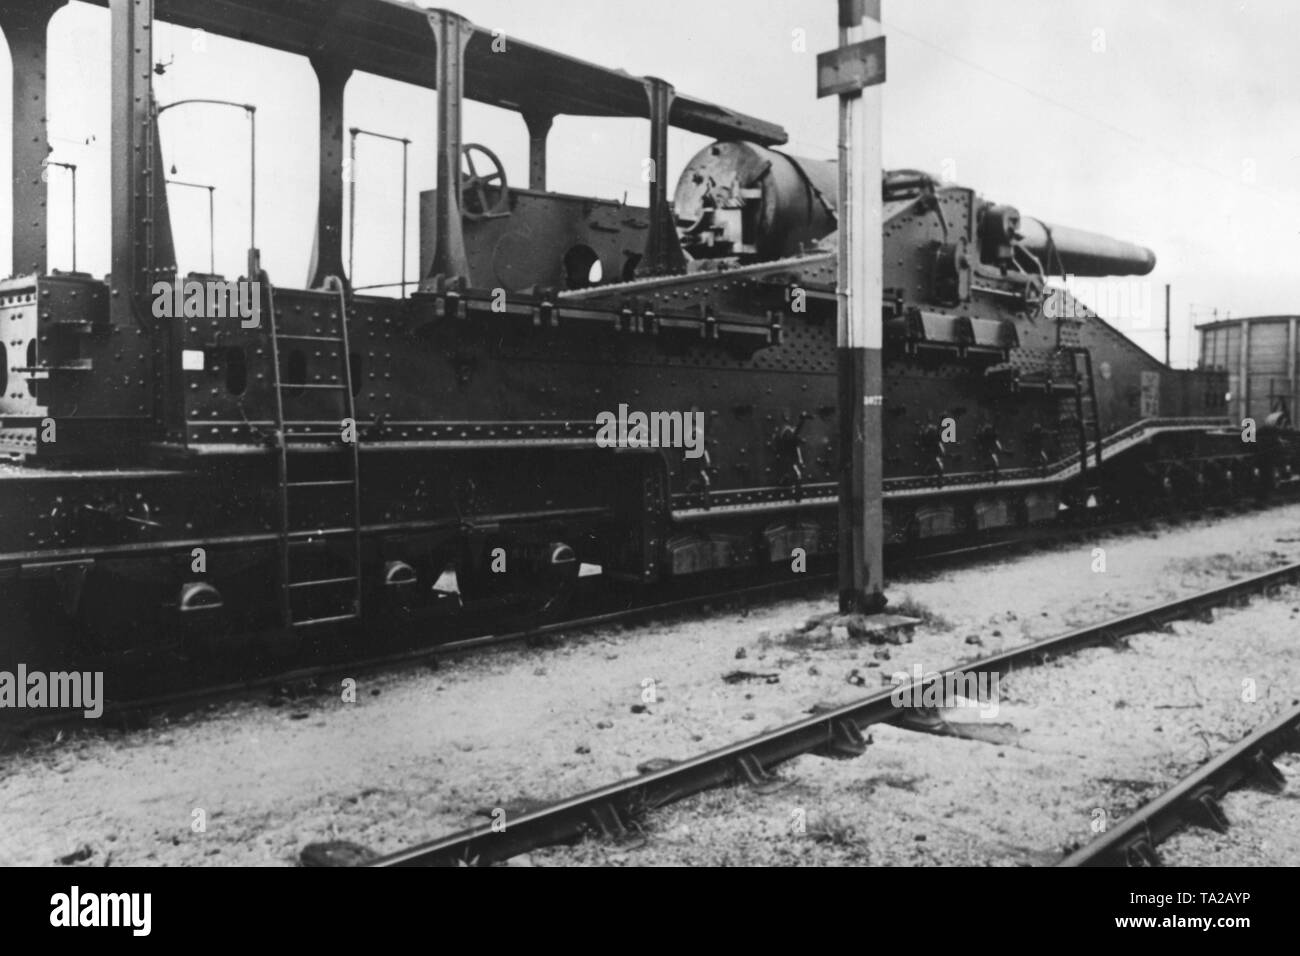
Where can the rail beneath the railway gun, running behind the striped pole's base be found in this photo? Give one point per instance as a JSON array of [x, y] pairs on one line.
[[128, 713]]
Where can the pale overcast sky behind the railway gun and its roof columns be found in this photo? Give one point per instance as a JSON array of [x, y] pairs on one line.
[[1175, 124]]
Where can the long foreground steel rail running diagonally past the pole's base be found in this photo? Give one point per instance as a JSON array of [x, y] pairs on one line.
[[610, 811]]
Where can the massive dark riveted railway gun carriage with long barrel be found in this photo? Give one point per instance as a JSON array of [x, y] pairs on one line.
[[333, 457]]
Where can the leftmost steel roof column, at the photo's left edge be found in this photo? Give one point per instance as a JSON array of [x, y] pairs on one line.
[[27, 29]]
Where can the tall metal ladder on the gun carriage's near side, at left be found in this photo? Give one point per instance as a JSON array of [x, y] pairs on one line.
[[309, 596]]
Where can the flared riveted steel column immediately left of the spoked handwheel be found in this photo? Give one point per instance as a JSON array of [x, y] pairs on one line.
[[452, 34]]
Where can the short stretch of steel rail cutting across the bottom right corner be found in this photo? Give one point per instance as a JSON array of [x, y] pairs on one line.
[[1194, 801]]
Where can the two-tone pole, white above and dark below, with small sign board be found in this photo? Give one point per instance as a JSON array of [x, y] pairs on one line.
[[855, 72]]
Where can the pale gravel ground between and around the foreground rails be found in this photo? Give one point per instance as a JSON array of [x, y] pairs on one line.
[[426, 752]]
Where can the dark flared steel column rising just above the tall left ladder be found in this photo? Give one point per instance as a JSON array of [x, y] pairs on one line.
[[332, 79]]
